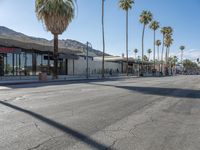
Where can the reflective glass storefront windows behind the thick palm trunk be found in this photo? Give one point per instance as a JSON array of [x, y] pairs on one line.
[[28, 63]]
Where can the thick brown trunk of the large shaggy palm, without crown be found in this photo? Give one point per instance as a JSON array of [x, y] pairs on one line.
[[55, 74]]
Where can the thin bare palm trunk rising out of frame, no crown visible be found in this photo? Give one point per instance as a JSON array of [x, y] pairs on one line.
[[103, 39]]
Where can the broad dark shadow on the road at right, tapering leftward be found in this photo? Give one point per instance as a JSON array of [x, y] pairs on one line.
[[168, 92]]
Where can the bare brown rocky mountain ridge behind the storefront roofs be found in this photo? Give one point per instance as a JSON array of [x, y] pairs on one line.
[[6, 33]]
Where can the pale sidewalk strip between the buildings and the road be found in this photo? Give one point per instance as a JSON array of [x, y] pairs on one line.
[[4, 82]]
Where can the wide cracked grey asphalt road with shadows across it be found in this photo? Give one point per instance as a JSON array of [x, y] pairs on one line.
[[130, 114]]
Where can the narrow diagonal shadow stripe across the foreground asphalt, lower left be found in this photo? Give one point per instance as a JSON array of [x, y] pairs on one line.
[[76, 134]]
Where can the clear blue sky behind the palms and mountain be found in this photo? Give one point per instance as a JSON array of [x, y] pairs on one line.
[[181, 15]]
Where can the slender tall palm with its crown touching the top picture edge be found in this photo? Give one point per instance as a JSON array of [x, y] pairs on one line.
[[126, 5]]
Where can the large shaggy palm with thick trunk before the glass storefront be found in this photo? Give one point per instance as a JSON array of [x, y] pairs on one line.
[[56, 15]]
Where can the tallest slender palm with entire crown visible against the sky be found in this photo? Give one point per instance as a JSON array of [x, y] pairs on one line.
[[145, 19]]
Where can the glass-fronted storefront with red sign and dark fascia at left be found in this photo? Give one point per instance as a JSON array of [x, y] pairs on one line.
[[24, 62]]
